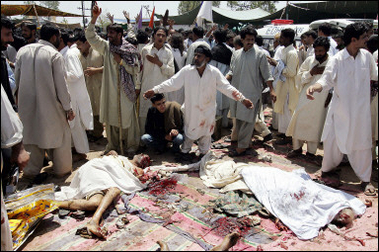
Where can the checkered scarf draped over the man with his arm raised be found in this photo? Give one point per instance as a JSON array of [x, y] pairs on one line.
[[130, 56]]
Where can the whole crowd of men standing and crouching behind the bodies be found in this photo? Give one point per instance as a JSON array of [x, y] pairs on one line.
[[67, 86]]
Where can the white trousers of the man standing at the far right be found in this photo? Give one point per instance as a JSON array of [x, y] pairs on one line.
[[360, 160]]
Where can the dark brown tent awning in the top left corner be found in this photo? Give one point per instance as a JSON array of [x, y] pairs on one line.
[[28, 10]]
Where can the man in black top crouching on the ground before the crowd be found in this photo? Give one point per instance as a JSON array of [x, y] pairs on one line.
[[164, 123]]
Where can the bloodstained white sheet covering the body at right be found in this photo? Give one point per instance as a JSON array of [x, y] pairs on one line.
[[300, 203]]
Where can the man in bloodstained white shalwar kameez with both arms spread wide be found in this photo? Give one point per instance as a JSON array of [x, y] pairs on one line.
[[201, 82]]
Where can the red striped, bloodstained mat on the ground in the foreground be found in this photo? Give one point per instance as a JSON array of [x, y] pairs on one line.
[[182, 216]]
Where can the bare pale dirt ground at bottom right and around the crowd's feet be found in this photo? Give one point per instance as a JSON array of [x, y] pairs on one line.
[[365, 229]]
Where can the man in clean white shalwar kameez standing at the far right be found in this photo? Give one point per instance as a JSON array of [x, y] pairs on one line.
[[348, 123]]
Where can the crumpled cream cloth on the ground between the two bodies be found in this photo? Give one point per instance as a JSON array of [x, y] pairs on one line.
[[214, 172]]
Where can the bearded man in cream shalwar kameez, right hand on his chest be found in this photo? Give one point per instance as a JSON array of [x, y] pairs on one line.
[[308, 119]]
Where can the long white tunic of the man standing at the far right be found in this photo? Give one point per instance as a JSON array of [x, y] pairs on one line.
[[349, 112]]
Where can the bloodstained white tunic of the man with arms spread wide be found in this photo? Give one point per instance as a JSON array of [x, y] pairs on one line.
[[199, 107]]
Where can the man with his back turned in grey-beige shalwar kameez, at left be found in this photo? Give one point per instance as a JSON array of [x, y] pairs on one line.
[[44, 103]]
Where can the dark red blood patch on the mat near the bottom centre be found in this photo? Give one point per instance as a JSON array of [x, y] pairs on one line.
[[225, 226]]
